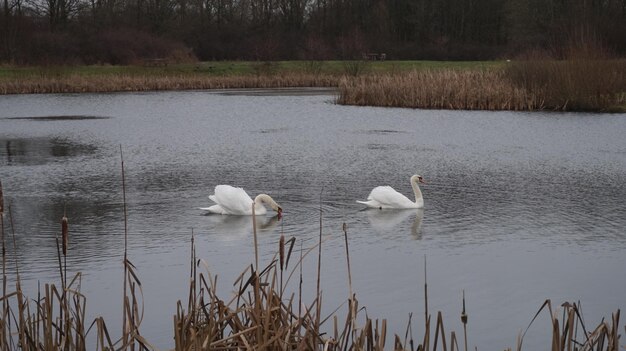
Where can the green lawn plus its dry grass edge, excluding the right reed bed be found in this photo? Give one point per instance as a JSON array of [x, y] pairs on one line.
[[206, 75]]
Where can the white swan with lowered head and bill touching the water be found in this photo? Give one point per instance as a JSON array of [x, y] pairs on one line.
[[235, 201]]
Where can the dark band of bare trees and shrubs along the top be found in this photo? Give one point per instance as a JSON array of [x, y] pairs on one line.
[[129, 31]]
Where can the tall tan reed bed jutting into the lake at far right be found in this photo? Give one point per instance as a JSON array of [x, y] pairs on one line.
[[525, 85]]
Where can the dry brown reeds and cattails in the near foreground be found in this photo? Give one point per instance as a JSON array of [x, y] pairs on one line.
[[265, 313]]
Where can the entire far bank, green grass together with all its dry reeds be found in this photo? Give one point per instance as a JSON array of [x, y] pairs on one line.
[[525, 85]]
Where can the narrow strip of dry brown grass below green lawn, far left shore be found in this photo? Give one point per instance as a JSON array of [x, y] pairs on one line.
[[81, 83]]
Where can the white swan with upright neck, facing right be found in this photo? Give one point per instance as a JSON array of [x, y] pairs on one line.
[[387, 197]]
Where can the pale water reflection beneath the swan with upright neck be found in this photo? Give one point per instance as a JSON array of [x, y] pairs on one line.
[[387, 221]]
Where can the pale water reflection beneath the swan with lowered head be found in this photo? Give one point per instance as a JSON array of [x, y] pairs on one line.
[[240, 227]]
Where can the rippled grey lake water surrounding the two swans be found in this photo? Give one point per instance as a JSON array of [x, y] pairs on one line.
[[519, 207]]
